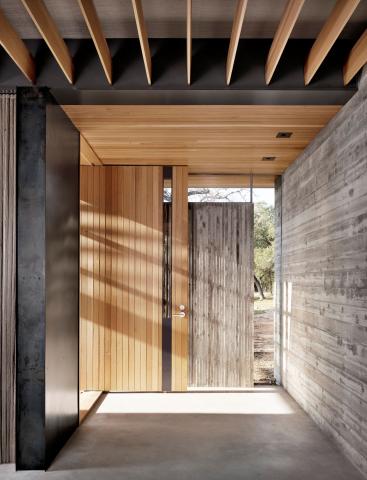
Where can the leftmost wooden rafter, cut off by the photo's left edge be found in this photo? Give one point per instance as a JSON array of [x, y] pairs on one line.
[[16, 48]]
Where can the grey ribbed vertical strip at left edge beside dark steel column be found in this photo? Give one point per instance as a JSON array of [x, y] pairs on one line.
[[7, 277]]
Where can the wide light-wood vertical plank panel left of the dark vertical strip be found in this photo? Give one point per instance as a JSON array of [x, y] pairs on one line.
[[121, 278]]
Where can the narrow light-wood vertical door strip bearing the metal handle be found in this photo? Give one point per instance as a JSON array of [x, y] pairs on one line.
[[180, 278]]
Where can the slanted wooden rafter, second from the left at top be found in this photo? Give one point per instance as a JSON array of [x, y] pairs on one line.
[[47, 28]]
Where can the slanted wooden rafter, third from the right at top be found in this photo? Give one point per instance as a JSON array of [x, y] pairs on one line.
[[286, 25]]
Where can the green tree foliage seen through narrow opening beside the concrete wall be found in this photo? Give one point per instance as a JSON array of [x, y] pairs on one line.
[[264, 244]]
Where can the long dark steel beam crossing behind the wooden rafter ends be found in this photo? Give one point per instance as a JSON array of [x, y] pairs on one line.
[[208, 72]]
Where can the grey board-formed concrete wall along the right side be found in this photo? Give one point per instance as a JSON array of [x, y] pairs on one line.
[[322, 234]]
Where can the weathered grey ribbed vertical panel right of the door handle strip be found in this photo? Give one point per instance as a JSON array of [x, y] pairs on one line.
[[221, 326]]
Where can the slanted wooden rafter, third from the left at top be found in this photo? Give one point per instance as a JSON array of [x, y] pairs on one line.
[[94, 26]]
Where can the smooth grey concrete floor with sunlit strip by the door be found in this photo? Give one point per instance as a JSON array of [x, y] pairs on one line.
[[255, 435]]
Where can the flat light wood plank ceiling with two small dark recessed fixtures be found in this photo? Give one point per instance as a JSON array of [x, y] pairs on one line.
[[224, 139]]
